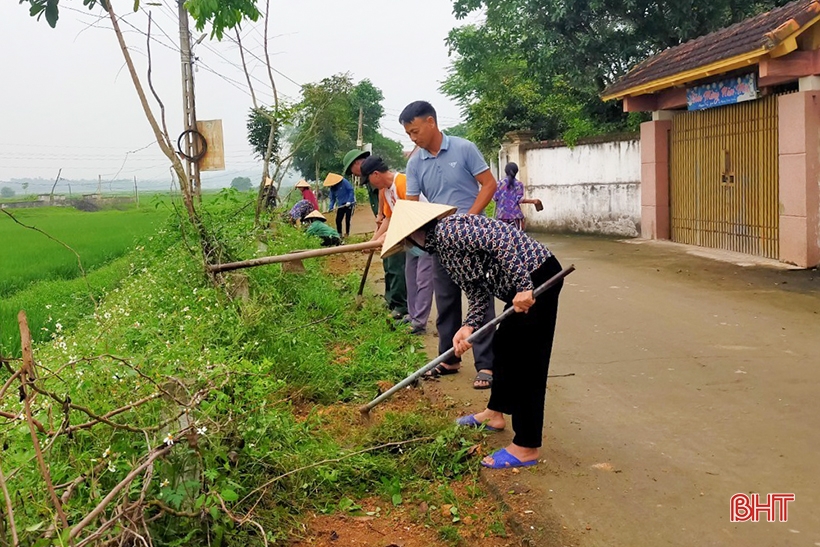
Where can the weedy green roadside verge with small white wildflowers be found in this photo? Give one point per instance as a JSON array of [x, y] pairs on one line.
[[266, 365]]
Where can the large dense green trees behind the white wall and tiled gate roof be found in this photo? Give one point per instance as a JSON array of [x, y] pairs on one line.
[[541, 65]]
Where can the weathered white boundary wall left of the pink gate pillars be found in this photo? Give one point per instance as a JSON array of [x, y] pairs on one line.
[[594, 187]]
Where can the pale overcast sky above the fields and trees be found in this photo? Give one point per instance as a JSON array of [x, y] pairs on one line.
[[66, 100]]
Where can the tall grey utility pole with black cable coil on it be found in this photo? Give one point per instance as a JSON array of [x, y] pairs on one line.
[[190, 142]]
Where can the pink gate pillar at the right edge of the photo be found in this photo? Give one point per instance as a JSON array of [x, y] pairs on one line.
[[799, 149]]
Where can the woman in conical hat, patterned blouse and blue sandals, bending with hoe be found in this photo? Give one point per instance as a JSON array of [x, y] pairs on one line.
[[488, 258]]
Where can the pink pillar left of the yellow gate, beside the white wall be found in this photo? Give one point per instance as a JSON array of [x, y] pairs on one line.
[[655, 179]]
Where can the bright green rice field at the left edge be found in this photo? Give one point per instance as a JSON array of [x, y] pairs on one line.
[[28, 256]]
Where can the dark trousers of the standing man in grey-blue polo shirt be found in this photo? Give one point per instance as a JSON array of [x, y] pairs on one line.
[[450, 318]]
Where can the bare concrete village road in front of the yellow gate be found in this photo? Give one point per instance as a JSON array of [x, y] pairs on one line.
[[693, 380]]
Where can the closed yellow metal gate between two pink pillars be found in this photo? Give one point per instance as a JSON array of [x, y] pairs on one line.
[[724, 178]]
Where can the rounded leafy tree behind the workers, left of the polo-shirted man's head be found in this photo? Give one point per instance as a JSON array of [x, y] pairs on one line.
[[327, 125]]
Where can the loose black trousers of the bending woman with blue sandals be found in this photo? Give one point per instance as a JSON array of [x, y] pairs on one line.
[[522, 347]]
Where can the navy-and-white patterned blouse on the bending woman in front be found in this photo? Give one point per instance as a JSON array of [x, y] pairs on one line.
[[485, 257]]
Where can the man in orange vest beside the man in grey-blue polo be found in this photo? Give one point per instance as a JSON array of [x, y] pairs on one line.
[[418, 270]]
